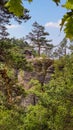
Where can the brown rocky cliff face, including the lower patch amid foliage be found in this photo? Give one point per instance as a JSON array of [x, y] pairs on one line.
[[42, 70]]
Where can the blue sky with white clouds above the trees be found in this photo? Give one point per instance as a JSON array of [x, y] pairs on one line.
[[47, 14]]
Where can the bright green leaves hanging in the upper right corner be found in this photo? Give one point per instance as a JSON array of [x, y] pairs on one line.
[[67, 19]]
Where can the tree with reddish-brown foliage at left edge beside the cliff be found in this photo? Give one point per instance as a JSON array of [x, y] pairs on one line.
[[9, 87]]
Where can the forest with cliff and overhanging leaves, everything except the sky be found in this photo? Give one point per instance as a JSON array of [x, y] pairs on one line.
[[36, 76]]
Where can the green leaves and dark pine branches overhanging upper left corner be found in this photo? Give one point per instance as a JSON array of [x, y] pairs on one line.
[[7, 13]]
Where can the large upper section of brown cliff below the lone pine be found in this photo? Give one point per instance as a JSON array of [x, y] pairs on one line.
[[41, 72]]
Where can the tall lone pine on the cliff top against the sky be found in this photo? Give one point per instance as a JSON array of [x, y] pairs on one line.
[[38, 38]]
